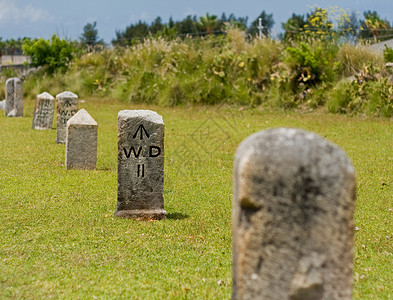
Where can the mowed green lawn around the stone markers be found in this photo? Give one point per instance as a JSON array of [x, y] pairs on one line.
[[59, 239]]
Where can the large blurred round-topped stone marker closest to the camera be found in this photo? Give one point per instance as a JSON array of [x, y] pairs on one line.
[[293, 204]]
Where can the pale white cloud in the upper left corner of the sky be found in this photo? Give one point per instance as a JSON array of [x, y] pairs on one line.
[[10, 12]]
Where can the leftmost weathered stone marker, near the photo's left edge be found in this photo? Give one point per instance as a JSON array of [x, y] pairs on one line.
[[14, 97]]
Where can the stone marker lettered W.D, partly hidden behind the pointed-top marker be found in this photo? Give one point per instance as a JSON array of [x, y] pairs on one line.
[[67, 106]]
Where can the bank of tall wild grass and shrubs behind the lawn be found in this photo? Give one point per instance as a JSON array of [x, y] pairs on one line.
[[217, 69]]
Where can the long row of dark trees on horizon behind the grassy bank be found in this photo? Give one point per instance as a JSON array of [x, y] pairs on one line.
[[332, 21]]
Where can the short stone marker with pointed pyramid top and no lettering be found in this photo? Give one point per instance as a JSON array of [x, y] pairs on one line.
[[81, 142]]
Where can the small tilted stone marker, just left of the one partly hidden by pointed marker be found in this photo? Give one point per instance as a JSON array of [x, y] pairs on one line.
[[43, 111]]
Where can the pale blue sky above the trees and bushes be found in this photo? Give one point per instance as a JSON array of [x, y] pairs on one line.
[[66, 18]]
